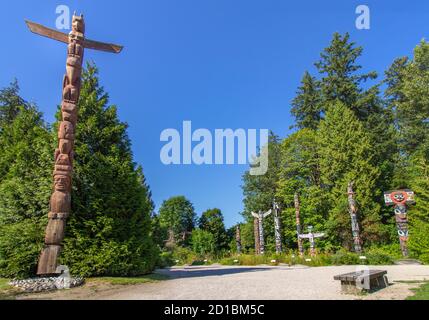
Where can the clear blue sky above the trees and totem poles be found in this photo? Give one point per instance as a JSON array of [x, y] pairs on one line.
[[219, 63]]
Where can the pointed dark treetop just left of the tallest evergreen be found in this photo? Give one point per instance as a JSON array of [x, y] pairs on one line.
[[306, 106]]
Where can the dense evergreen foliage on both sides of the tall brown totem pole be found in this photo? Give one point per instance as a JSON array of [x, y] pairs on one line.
[[109, 231]]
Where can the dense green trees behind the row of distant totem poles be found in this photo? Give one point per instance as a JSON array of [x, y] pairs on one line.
[[347, 131]]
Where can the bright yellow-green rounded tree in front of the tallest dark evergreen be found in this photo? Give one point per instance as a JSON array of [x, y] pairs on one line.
[[346, 155]]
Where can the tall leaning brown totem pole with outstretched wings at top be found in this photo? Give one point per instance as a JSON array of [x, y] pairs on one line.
[[60, 203]]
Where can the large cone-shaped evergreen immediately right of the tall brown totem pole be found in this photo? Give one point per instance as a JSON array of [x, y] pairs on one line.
[[108, 232]]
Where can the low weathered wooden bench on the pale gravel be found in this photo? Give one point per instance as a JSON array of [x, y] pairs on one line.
[[362, 280]]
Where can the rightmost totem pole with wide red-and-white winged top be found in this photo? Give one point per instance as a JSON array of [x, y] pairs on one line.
[[400, 199]]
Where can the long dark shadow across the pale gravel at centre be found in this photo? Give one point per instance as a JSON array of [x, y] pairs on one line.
[[205, 272]]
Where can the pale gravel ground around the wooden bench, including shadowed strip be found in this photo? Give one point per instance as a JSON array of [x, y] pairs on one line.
[[247, 283]]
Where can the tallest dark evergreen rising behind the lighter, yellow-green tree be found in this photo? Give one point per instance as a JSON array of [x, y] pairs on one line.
[[342, 80]]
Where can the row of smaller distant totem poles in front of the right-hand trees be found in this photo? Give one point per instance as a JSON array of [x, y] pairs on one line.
[[400, 199]]
